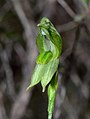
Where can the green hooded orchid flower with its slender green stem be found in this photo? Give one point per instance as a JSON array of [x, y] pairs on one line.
[[49, 44]]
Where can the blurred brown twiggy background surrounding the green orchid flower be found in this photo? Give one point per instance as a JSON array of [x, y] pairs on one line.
[[18, 31]]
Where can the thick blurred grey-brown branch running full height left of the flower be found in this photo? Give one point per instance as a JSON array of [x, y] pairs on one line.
[[23, 97]]
